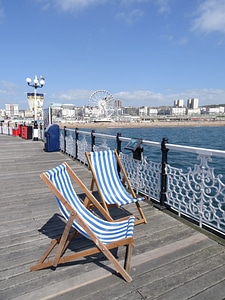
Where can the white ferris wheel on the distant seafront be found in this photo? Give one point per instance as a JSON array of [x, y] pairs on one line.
[[101, 104]]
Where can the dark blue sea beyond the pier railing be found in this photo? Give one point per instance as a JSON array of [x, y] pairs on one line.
[[203, 137]]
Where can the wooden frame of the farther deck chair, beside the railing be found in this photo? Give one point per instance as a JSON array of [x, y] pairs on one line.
[[139, 219]]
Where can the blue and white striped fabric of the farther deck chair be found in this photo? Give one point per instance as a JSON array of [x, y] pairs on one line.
[[105, 168]]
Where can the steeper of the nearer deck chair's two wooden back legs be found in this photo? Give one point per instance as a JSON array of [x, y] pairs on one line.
[[61, 248]]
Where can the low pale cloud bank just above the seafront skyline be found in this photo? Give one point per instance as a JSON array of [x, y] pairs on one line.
[[11, 93]]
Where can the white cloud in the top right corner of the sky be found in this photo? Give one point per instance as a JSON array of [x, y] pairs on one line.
[[210, 17]]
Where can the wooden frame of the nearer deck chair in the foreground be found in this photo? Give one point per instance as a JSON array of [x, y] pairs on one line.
[[63, 241]]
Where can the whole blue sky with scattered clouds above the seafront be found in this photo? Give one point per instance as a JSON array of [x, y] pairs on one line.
[[144, 52]]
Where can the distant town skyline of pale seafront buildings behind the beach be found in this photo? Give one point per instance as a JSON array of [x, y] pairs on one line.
[[70, 112]]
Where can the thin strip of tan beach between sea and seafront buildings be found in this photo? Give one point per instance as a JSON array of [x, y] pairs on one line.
[[154, 124]]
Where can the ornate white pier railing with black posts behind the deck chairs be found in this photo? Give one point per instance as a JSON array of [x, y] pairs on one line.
[[187, 180]]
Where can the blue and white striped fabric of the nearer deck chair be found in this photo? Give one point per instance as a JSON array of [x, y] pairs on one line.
[[106, 231]]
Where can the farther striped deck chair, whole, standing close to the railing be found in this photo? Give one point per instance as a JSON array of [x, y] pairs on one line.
[[103, 165]]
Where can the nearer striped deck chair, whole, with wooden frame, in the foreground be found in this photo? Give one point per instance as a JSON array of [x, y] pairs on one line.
[[105, 234]]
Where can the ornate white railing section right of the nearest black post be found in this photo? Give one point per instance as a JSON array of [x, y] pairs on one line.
[[198, 192]]
